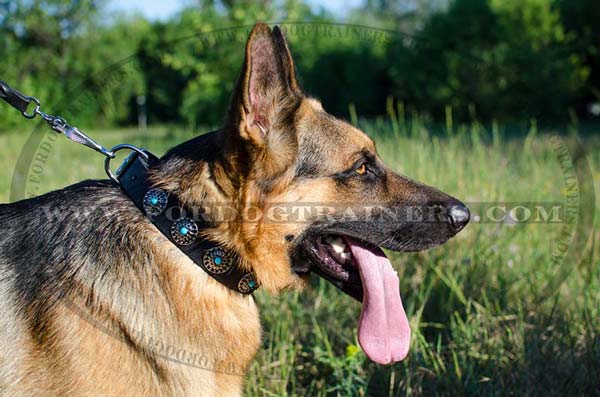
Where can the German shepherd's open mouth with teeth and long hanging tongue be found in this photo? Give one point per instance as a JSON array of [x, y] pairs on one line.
[[362, 270]]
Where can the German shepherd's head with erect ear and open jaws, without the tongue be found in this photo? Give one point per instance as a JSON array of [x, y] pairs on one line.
[[317, 180]]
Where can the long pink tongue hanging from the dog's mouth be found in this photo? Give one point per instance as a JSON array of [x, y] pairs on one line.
[[383, 329]]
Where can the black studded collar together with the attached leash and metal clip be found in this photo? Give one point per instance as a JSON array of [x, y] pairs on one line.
[[182, 226]]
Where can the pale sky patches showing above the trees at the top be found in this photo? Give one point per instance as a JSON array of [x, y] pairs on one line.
[[162, 9]]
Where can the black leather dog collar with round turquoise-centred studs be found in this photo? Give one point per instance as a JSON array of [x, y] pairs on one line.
[[181, 225]]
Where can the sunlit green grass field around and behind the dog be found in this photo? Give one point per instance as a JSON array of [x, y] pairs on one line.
[[481, 321]]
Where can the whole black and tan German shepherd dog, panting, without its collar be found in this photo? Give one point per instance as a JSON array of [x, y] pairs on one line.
[[104, 306]]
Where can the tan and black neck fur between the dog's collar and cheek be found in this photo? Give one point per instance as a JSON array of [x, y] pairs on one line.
[[214, 172]]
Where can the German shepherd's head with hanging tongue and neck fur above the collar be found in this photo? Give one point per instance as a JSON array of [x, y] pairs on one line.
[[313, 195]]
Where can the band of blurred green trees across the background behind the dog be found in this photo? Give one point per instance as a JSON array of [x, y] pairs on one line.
[[483, 59]]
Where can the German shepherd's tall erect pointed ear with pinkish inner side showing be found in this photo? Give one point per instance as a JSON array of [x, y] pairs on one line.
[[267, 87]]
